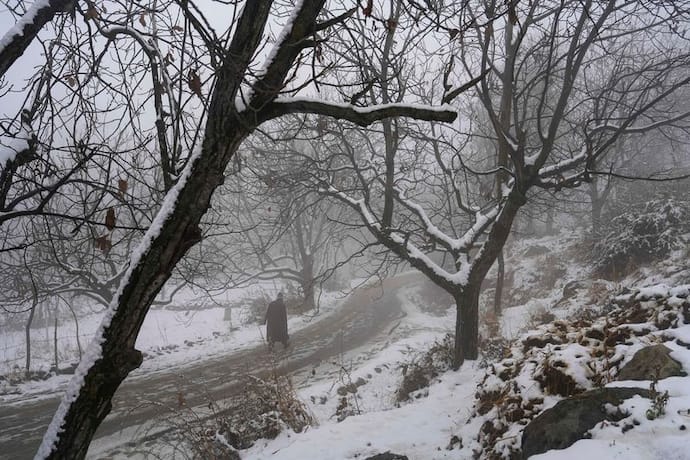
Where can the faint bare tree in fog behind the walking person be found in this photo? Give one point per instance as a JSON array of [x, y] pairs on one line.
[[290, 234]]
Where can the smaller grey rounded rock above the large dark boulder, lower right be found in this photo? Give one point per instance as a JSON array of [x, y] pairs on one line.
[[651, 363]]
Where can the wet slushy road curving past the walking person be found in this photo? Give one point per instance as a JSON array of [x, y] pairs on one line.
[[363, 316]]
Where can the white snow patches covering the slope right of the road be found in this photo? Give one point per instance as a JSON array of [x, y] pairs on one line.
[[427, 427]]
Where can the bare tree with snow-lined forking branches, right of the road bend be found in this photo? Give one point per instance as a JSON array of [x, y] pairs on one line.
[[434, 202]]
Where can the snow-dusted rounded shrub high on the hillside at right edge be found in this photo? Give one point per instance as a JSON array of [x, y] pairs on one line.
[[641, 235]]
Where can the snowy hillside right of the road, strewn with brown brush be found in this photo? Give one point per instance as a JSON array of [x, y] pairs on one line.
[[595, 328]]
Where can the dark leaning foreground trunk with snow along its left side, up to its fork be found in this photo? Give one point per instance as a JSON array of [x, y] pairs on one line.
[[166, 242]]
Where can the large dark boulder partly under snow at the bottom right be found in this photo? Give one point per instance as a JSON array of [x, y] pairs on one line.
[[570, 419]]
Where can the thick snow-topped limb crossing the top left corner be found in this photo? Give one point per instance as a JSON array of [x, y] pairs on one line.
[[18, 38]]
